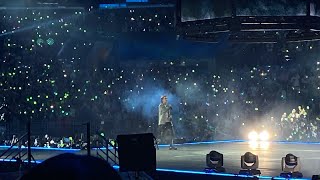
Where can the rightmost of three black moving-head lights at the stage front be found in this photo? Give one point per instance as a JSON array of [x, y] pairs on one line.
[[291, 167]]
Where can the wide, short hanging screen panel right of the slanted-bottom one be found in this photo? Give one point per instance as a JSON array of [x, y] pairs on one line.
[[271, 7]]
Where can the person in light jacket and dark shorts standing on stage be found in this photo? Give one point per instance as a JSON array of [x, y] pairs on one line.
[[165, 127]]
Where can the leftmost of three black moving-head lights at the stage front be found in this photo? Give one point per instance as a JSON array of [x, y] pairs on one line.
[[214, 162]]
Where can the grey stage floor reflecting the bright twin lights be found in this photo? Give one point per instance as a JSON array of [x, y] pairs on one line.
[[191, 156]]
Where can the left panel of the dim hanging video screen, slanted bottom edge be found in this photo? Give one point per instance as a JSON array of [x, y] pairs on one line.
[[192, 10]]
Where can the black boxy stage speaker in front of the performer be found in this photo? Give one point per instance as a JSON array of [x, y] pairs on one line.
[[137, 152]]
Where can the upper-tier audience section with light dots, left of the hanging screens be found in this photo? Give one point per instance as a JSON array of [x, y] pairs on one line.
[[160, 19]]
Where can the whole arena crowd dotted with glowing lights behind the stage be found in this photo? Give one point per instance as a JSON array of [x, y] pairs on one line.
[[47, 77]]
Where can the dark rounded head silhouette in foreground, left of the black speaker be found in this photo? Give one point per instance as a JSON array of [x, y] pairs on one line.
[[71, 166]]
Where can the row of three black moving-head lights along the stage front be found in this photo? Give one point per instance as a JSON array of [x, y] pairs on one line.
[[290, 164]]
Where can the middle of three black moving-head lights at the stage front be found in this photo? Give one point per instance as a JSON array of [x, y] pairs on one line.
[[249, 164]]
